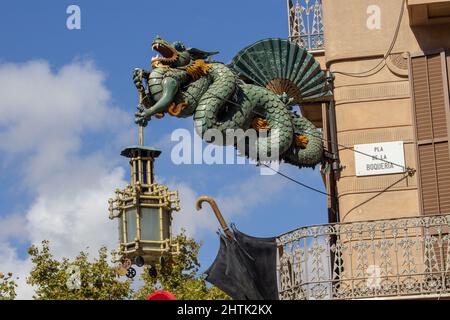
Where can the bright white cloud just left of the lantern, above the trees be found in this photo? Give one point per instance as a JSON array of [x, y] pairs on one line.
[[76, 219]]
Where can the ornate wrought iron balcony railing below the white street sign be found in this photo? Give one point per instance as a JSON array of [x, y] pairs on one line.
[[402, 257]]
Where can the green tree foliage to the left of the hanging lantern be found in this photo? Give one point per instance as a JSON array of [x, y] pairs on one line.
[[79, 279]]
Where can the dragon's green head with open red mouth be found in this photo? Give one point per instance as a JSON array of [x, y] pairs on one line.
[[176, 54]]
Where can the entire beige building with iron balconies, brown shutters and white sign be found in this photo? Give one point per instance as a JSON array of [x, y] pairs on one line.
[[387, 131]]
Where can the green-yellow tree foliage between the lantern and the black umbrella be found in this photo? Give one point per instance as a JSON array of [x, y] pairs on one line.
[[181, 276]]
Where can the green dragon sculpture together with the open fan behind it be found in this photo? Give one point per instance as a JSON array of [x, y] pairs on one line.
[[258, 89]]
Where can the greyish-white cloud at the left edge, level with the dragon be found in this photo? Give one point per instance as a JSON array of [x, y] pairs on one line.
[[36, 104]]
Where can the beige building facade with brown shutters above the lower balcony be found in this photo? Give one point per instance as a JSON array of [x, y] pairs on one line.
[[390, 63]]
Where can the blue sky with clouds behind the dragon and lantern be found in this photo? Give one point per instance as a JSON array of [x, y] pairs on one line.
[[115, 37]]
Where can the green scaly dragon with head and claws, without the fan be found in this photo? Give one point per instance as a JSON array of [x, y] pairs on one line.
[[183, 84]]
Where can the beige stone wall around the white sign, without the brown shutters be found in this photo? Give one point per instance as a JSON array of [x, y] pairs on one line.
[[376, 107]]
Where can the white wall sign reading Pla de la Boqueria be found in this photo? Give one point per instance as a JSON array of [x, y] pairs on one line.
[[387, 151]]
